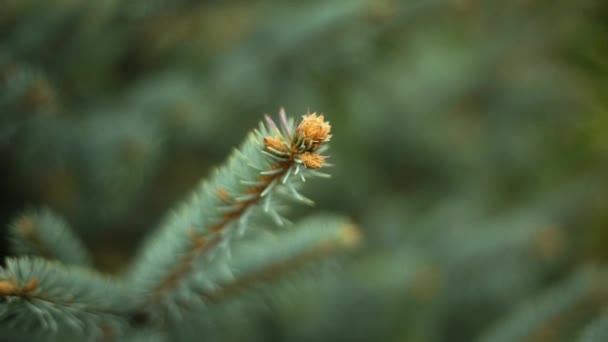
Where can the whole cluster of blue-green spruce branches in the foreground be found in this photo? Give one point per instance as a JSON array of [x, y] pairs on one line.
[[189, 263]]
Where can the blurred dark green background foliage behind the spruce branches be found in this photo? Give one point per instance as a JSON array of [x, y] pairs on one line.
[[470, 147]]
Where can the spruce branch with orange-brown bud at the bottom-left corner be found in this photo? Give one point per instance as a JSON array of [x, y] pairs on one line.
[[47, 297]]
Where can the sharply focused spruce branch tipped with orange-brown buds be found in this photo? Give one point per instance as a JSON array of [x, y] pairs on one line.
[[269, 166]]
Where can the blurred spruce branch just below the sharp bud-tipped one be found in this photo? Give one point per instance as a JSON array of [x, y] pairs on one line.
[[263, 259]]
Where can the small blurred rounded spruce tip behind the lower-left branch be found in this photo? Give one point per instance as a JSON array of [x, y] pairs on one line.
[[44, 234]]
